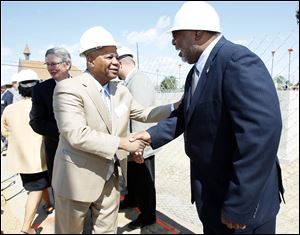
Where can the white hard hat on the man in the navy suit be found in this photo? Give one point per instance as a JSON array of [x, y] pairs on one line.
[[196, 15]]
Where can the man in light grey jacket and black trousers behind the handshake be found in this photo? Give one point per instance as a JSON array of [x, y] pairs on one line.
[[140, 177]]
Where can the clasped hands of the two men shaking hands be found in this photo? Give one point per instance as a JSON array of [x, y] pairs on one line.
[[135, 143]]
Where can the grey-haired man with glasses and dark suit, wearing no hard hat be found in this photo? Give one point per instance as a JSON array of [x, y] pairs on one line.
[[42, 121]]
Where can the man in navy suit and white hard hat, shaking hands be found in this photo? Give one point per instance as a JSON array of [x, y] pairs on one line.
[[231, 120]]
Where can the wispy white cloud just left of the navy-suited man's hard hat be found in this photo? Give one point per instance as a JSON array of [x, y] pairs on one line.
[[155, 36]]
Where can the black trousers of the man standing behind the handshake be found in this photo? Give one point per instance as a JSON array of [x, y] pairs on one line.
[[141, 188]]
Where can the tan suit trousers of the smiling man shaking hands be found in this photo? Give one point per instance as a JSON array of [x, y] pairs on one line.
[[70, 215]]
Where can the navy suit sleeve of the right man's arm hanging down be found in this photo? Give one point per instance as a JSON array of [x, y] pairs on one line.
[[253, 105]]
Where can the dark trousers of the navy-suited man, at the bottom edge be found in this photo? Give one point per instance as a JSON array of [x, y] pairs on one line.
[[265, 228]]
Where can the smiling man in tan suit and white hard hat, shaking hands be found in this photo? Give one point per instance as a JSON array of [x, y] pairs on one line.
[[92, 114]]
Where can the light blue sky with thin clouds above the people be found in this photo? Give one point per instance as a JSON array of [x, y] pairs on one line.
[[262, 26]]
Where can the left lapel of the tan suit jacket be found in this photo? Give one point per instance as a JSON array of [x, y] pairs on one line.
[[96, 97]]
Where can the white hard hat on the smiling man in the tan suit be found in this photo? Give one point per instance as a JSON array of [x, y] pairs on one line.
[[95, 38]]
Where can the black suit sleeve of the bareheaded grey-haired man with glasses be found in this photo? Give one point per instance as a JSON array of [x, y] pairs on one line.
[[40, 121]]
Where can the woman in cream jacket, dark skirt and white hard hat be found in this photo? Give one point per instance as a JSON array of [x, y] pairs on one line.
[[25, 153]]
